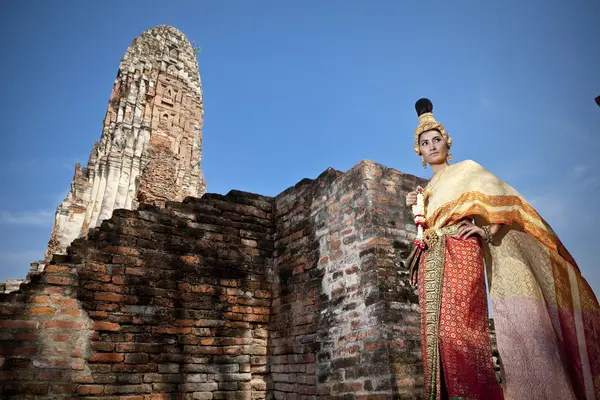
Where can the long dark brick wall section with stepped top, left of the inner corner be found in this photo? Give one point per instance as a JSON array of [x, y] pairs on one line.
[[155, 303]]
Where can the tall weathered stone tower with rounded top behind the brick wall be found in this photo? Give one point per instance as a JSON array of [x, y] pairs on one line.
[[151, 143]]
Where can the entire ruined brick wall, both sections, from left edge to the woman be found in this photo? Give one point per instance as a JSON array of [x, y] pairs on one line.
[[302, 296]]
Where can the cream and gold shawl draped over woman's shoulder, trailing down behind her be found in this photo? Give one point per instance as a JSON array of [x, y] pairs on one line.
[[547, 317]]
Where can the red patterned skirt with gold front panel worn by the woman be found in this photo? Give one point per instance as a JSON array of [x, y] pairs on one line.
[[457, 354]]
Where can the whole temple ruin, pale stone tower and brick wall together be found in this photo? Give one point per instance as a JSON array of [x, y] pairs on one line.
[[155, 290]]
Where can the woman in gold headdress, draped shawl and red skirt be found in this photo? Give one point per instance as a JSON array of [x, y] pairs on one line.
[[547, 318]]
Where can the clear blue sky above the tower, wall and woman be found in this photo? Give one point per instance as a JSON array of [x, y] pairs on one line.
[[292, 88]]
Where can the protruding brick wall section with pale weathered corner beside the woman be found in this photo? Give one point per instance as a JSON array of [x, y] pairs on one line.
[[345, 322]]
